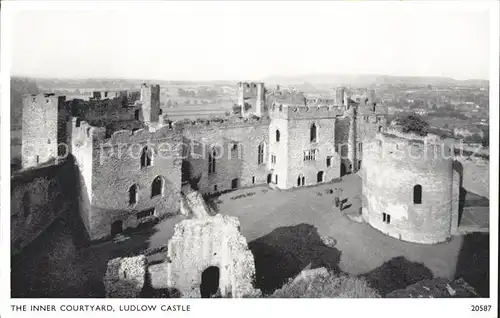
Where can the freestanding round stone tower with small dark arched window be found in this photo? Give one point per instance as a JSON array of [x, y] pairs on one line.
[[391, 169]]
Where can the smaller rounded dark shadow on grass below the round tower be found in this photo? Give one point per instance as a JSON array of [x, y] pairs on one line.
[[397, 273]]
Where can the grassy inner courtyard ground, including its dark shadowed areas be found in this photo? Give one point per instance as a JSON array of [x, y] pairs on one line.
[[283, 229]]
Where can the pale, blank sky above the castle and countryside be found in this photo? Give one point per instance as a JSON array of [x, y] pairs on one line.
[[251, 40]]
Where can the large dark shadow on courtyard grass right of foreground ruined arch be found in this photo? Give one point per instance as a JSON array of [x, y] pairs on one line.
[[286, 251]]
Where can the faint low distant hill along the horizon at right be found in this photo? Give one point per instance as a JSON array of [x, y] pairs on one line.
[[368, 79]]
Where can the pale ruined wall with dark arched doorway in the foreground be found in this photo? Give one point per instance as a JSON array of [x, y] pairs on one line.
[[213, 241]]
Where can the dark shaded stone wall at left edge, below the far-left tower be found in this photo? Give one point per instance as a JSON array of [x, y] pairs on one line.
[[38, 197]]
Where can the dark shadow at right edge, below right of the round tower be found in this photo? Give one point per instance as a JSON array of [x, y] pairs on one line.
[[473, 263]]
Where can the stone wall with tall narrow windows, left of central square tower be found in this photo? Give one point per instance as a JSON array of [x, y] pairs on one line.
[[236, 145]]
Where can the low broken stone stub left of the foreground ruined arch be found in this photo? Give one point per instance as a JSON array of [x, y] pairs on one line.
[[125, 277]]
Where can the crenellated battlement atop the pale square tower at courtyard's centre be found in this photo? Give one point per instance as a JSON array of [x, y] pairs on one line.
[[286, 111]]
